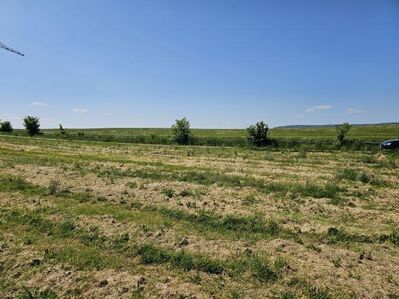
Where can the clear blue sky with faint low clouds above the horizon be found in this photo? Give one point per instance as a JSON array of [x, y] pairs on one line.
[[223, 64]]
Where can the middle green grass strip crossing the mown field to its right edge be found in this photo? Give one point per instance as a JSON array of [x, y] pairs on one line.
[[246, 227]]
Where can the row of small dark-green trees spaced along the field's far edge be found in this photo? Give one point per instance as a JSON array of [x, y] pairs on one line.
[[258, 134]]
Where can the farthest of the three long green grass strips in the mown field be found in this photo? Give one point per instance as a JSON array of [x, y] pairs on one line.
[[199, 175]]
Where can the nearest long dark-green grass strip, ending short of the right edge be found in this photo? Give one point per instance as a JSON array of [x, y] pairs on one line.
[[148, 253]]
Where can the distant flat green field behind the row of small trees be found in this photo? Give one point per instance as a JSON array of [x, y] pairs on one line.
[[229, 137]]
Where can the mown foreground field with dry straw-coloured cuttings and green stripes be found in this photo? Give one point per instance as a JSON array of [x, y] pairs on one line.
[[107, 220]]
